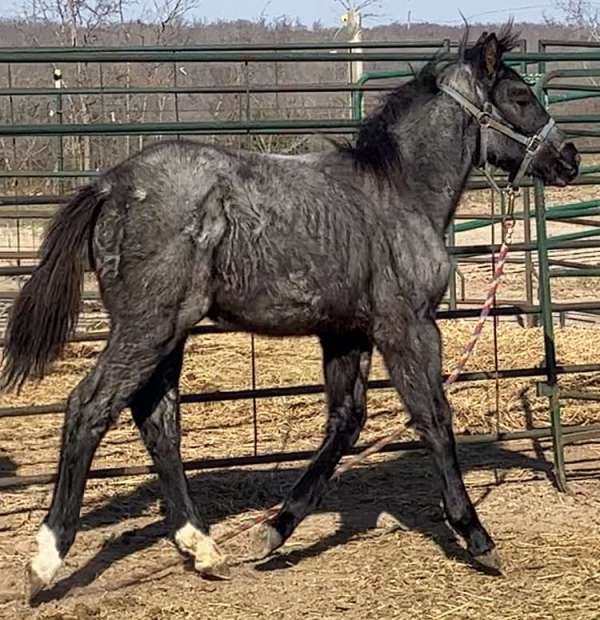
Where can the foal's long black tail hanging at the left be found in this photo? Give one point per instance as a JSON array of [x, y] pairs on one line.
[[46, 309]]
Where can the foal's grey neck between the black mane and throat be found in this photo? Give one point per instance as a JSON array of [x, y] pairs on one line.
[[437, 147]]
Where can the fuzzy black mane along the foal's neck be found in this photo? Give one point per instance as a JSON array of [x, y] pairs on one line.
[[376, 147]]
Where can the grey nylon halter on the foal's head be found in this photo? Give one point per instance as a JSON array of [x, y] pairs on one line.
[[484, 116]]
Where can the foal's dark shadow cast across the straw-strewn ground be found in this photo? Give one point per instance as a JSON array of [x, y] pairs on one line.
[[404, 487]]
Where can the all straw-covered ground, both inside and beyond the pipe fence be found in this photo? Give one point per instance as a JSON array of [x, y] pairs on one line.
[[377, 548]]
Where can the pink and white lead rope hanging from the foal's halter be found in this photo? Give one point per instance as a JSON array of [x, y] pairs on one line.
[[377, 446]]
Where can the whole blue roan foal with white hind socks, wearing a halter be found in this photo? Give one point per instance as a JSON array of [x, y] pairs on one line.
[[347, 245]]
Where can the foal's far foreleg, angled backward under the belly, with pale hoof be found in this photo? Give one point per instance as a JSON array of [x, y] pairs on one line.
[[346, 362]]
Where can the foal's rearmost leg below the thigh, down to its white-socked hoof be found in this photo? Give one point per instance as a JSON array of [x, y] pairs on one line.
[[126, 363]]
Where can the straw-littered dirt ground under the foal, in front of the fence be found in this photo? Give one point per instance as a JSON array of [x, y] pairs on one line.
[[377, 549]]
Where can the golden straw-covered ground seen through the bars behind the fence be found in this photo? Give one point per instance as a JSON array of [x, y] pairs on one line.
[[223, 362]]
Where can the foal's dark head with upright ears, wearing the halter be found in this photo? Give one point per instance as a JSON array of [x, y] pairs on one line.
[[516, 133]]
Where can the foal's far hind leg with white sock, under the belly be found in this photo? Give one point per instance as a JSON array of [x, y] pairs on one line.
[[155, 410]]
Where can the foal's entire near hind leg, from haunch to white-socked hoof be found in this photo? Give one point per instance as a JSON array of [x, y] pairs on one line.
[[155, 292]]
